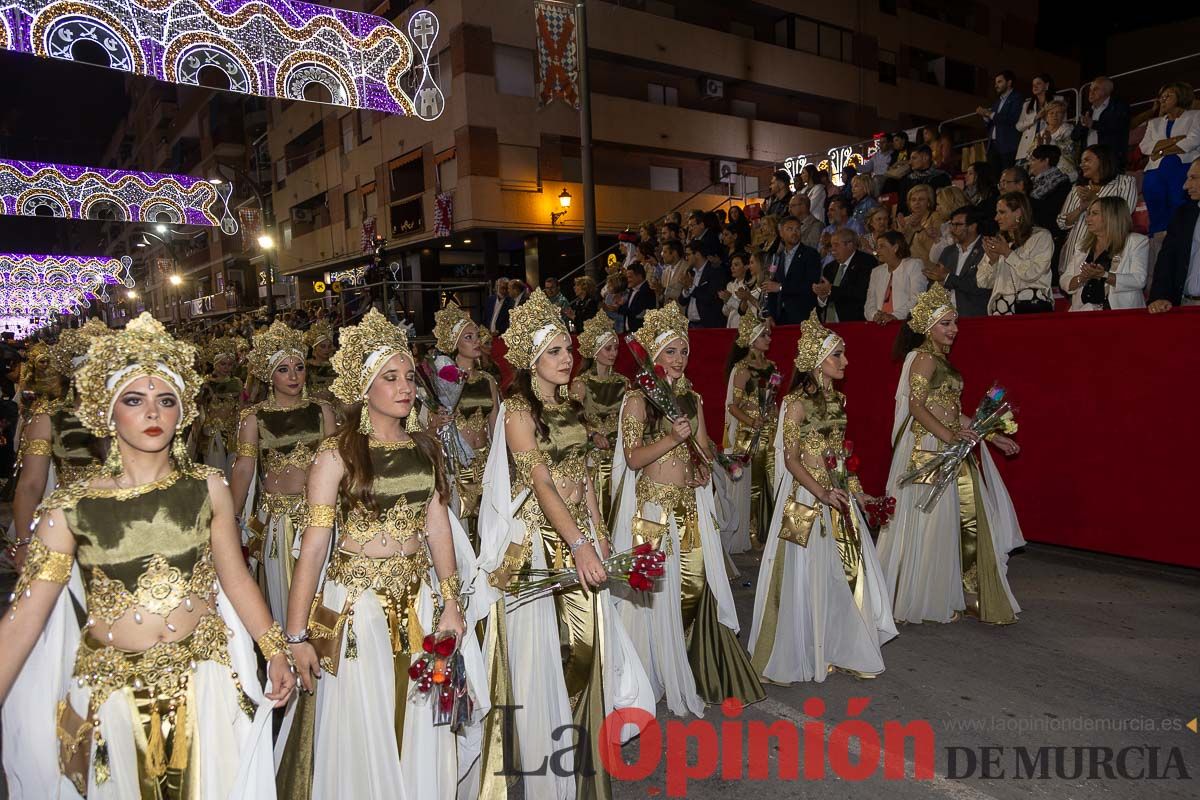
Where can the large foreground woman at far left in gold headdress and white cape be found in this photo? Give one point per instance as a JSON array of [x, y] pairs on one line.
[[158, 694]]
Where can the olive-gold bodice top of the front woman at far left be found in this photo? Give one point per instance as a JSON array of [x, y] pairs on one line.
[[145, 549]]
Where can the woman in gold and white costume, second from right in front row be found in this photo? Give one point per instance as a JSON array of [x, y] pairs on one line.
[[821, 601]]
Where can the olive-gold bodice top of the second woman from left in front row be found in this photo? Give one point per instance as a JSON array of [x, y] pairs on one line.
[[403, 488]]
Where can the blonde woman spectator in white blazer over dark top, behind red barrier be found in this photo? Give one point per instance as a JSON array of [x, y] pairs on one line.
[[1108, 269]]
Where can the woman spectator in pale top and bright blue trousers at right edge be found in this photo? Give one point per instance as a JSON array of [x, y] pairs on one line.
[[1172, 142]]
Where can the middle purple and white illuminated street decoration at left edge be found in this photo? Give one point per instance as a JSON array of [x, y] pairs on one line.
[[34, 189]]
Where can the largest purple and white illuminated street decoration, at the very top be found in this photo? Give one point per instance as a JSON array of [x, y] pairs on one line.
[[273, 49]]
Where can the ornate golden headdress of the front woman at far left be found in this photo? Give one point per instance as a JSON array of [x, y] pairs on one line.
[[143, 348]]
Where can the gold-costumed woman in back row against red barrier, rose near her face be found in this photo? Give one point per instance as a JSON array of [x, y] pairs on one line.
[[751, 431]]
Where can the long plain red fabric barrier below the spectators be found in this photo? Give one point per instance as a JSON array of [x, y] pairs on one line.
[[1107, 406]]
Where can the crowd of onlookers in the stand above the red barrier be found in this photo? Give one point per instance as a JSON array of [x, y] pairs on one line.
[[1045, 213]]
